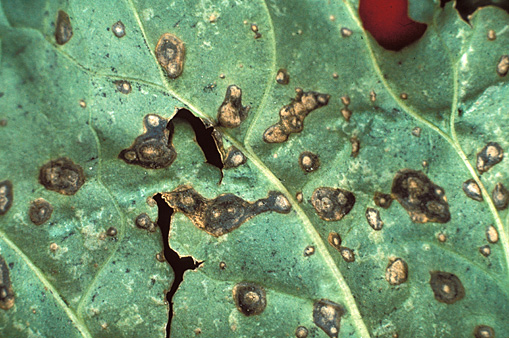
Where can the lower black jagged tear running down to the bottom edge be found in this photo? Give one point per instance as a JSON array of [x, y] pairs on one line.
[[178, 264]]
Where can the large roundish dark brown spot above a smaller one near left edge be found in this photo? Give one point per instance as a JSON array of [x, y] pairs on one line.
[[62, 175]]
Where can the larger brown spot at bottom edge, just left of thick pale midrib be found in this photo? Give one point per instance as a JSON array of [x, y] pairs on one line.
[[327, 316]]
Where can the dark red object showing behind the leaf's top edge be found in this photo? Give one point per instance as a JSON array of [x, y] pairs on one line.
[[388, 22]]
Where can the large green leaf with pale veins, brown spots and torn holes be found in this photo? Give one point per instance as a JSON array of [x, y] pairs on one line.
[[61, 100]]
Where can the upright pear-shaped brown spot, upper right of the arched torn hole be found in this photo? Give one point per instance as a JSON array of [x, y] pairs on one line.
[[231, 113]]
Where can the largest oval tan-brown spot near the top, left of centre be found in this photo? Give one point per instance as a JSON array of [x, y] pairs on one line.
[[170, 53]]
